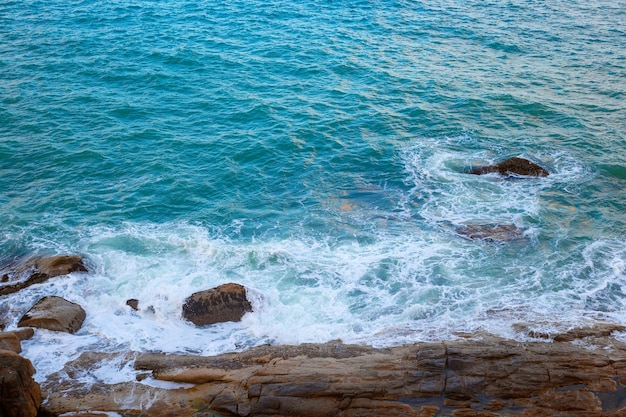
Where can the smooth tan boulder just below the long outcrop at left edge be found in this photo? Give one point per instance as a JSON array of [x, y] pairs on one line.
[[54, 313]]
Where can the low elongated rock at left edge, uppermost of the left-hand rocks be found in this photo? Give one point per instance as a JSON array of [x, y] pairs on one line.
[[35, 270]]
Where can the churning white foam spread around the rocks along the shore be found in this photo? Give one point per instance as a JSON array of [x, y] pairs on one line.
[[412, 279]]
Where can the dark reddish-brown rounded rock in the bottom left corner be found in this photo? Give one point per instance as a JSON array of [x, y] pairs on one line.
[[20, 395]]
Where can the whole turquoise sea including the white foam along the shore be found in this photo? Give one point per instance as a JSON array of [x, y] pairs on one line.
[[317, 153]]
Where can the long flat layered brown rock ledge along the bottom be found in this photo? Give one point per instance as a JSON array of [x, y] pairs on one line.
[[488, 376]]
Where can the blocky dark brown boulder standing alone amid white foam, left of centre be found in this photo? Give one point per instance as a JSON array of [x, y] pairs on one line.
[[226, 302]]
